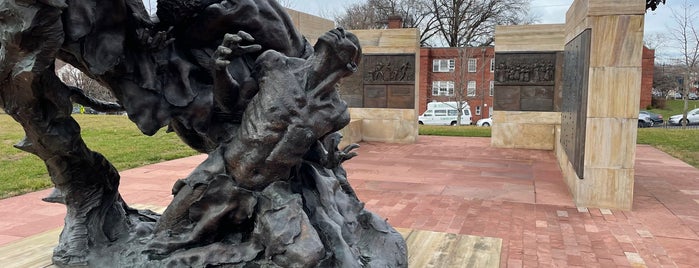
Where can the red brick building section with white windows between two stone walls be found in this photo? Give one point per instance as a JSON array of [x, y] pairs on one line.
[[453, 74]]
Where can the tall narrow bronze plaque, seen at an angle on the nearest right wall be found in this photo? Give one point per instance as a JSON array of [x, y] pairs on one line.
[[574, 106]]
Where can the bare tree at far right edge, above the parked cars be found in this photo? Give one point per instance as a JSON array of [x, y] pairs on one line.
[[685, 36]]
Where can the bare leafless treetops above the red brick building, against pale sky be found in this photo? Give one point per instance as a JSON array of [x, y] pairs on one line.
[[454, 23]]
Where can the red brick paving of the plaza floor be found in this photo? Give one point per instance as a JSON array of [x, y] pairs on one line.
[[462, 185]]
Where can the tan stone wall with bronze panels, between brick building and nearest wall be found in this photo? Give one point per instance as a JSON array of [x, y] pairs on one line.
[[527, 99]]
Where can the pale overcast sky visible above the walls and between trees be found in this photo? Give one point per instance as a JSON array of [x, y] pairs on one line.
[[547, 11]]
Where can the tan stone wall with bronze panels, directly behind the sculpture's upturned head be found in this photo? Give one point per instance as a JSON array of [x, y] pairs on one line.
[[382, 96]]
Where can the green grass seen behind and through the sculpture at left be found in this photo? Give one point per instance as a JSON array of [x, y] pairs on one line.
[[112, 135]]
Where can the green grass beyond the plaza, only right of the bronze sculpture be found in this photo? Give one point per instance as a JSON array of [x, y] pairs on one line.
[[683, 144]]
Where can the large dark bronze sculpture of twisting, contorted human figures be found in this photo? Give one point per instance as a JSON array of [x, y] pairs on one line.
[[235, 80]]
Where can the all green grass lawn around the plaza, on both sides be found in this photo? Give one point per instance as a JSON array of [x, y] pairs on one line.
[[123, 144]]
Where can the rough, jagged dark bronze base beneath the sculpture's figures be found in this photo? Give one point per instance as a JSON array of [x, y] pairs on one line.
[[312, 220]]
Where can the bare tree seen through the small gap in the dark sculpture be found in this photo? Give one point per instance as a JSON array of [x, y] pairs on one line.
[[74, 77]]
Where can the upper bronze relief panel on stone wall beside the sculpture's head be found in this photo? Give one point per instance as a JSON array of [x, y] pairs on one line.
[[389, 69]]
